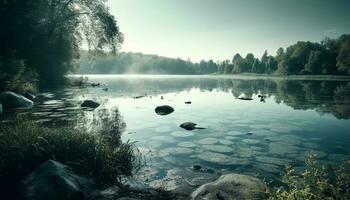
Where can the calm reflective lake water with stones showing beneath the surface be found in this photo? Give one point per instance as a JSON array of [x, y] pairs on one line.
[[257, 137]]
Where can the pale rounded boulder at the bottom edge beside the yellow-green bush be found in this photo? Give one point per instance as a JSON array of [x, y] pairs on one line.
[[232, 186]]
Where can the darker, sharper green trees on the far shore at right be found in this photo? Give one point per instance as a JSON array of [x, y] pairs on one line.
[[329, 57]]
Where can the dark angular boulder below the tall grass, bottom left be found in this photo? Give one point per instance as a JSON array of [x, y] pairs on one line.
[[55, 181]]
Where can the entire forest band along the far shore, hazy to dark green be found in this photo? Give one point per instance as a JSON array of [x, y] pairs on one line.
[[329, 57]]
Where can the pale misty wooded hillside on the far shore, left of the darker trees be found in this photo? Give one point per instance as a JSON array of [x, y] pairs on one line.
[[138, 63]]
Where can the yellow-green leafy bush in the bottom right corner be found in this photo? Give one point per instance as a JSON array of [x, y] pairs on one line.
[[316, 182]]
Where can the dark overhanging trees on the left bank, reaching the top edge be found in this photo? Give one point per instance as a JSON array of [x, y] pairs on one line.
[[40, 40]]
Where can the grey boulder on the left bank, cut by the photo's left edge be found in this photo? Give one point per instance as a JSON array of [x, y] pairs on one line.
[[13, 100]]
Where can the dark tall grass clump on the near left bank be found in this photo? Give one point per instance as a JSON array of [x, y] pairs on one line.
[[24, 145]]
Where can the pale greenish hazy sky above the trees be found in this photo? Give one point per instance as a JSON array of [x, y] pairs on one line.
[[217, 29]]
